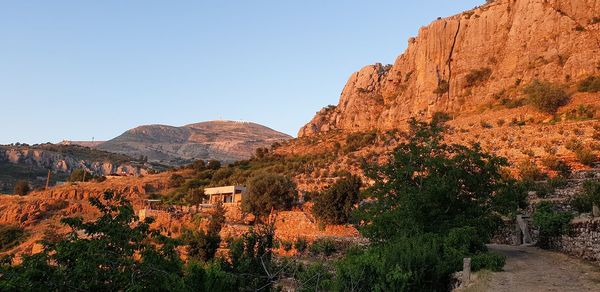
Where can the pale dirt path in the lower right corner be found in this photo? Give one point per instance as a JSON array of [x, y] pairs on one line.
[[533, 269]]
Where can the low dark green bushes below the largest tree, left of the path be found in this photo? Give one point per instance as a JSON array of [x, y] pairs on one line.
[[415, 263]]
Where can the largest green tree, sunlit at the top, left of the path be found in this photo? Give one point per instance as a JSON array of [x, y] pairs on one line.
[[429, 186]]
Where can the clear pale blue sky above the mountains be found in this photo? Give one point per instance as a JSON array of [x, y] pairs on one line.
[[82, 69]]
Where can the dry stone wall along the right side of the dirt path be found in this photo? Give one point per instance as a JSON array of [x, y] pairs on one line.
[[584, 240]]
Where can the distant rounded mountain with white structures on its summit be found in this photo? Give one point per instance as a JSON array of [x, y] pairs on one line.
[[222, 140]]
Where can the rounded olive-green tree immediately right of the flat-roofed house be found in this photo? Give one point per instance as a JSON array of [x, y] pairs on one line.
[[267, 192]]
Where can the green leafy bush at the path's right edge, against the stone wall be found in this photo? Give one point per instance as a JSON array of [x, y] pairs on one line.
[[551, 223]]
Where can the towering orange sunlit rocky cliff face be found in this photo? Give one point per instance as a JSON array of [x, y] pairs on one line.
[[463, 62]]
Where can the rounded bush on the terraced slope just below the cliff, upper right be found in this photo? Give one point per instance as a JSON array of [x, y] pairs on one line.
[[546, 96]]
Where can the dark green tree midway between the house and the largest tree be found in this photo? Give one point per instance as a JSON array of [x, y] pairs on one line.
[[335, 205]]
